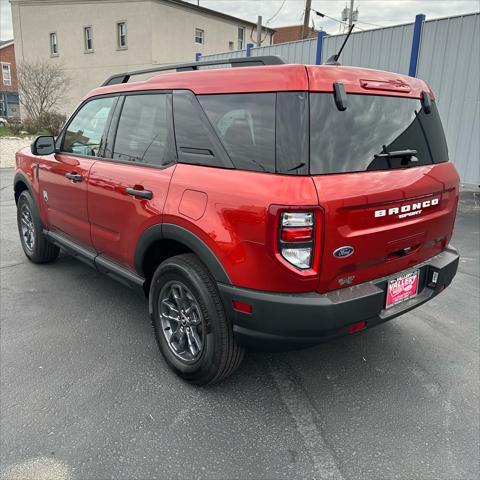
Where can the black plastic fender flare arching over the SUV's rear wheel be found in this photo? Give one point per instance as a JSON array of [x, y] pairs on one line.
[[170, 231]]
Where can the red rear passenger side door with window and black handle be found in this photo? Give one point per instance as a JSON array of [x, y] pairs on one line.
[[127, 190]]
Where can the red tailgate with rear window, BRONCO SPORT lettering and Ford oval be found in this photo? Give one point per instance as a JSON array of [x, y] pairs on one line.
[[382, 177]]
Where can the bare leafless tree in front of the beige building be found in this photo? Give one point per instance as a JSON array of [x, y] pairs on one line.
[[42, 86]]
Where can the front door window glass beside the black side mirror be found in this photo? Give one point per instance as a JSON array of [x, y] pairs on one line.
[[84, 134]]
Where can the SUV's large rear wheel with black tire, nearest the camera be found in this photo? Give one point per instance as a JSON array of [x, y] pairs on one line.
[[220, 354]]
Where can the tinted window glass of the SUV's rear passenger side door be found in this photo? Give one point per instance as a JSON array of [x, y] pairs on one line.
[[145, 130]]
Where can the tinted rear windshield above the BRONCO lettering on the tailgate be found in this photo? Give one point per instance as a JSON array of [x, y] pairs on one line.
[[348, 141]]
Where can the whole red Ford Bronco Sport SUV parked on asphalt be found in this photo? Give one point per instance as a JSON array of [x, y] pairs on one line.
[[276, 206]]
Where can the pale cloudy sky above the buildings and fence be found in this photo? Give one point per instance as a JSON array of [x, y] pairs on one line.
[[373, 13]]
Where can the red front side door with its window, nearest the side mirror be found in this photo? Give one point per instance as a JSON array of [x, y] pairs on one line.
[[63, 177]]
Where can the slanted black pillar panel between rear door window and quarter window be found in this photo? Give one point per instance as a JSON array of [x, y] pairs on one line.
[[197, 143]]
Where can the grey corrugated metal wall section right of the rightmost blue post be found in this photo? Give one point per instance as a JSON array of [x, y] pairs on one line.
[[450, 63]]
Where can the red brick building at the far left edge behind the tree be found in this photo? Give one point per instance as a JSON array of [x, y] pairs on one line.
[[9, 104]]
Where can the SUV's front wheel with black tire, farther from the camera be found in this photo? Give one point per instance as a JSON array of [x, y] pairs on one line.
[[40, 250]]
